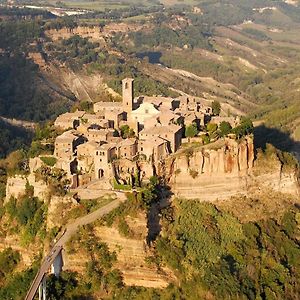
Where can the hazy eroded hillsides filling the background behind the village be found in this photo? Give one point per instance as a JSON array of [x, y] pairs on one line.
[[245, 54]]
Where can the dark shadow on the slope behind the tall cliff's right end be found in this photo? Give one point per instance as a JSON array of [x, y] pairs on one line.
[[264, 135]]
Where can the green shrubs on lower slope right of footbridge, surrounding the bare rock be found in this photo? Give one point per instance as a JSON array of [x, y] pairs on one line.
[[211, 252]]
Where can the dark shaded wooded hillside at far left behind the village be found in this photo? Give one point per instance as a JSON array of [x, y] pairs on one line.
[[23, 93]]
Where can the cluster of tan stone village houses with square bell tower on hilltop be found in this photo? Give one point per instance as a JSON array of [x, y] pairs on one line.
[[108, 142]]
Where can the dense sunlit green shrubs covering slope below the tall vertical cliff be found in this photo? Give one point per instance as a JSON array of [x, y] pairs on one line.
[[211, 250]]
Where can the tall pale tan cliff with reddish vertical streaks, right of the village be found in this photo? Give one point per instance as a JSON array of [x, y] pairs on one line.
[[211, 174]]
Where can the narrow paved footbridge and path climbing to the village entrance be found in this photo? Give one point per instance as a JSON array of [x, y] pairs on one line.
[[67, 233]]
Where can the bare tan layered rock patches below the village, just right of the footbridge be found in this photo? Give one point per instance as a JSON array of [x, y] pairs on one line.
[[132, 254]]
